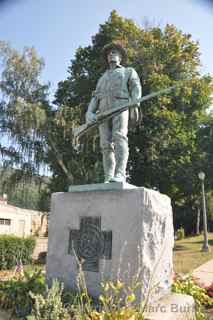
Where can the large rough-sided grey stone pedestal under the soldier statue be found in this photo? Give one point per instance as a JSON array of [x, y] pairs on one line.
[[115, 234]]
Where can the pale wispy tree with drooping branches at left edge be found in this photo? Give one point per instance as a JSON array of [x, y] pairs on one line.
[[30, 126]]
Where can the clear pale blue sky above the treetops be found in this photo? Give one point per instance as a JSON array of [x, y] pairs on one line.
[[56, 28]]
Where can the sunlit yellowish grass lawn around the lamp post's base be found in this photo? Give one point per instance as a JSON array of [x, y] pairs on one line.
[[188, 255]]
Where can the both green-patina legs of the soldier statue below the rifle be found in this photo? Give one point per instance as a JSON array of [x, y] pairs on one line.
[[114, 145]]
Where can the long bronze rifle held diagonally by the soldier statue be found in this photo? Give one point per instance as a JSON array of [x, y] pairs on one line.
[[108, 114]]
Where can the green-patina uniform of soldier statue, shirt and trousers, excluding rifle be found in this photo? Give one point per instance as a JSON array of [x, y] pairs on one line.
[[115, 88]]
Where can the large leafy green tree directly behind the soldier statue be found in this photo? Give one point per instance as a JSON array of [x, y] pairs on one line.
[[166, 151]]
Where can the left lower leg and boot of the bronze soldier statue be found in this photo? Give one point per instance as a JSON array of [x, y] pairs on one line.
[[108, 164]]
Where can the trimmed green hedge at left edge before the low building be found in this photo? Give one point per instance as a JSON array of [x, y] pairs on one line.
[[13, 249]]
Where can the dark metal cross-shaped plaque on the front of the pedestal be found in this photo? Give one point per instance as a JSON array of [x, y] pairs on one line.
[[90, 243]]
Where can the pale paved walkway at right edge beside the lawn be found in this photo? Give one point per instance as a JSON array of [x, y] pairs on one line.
[[204, 273]]
